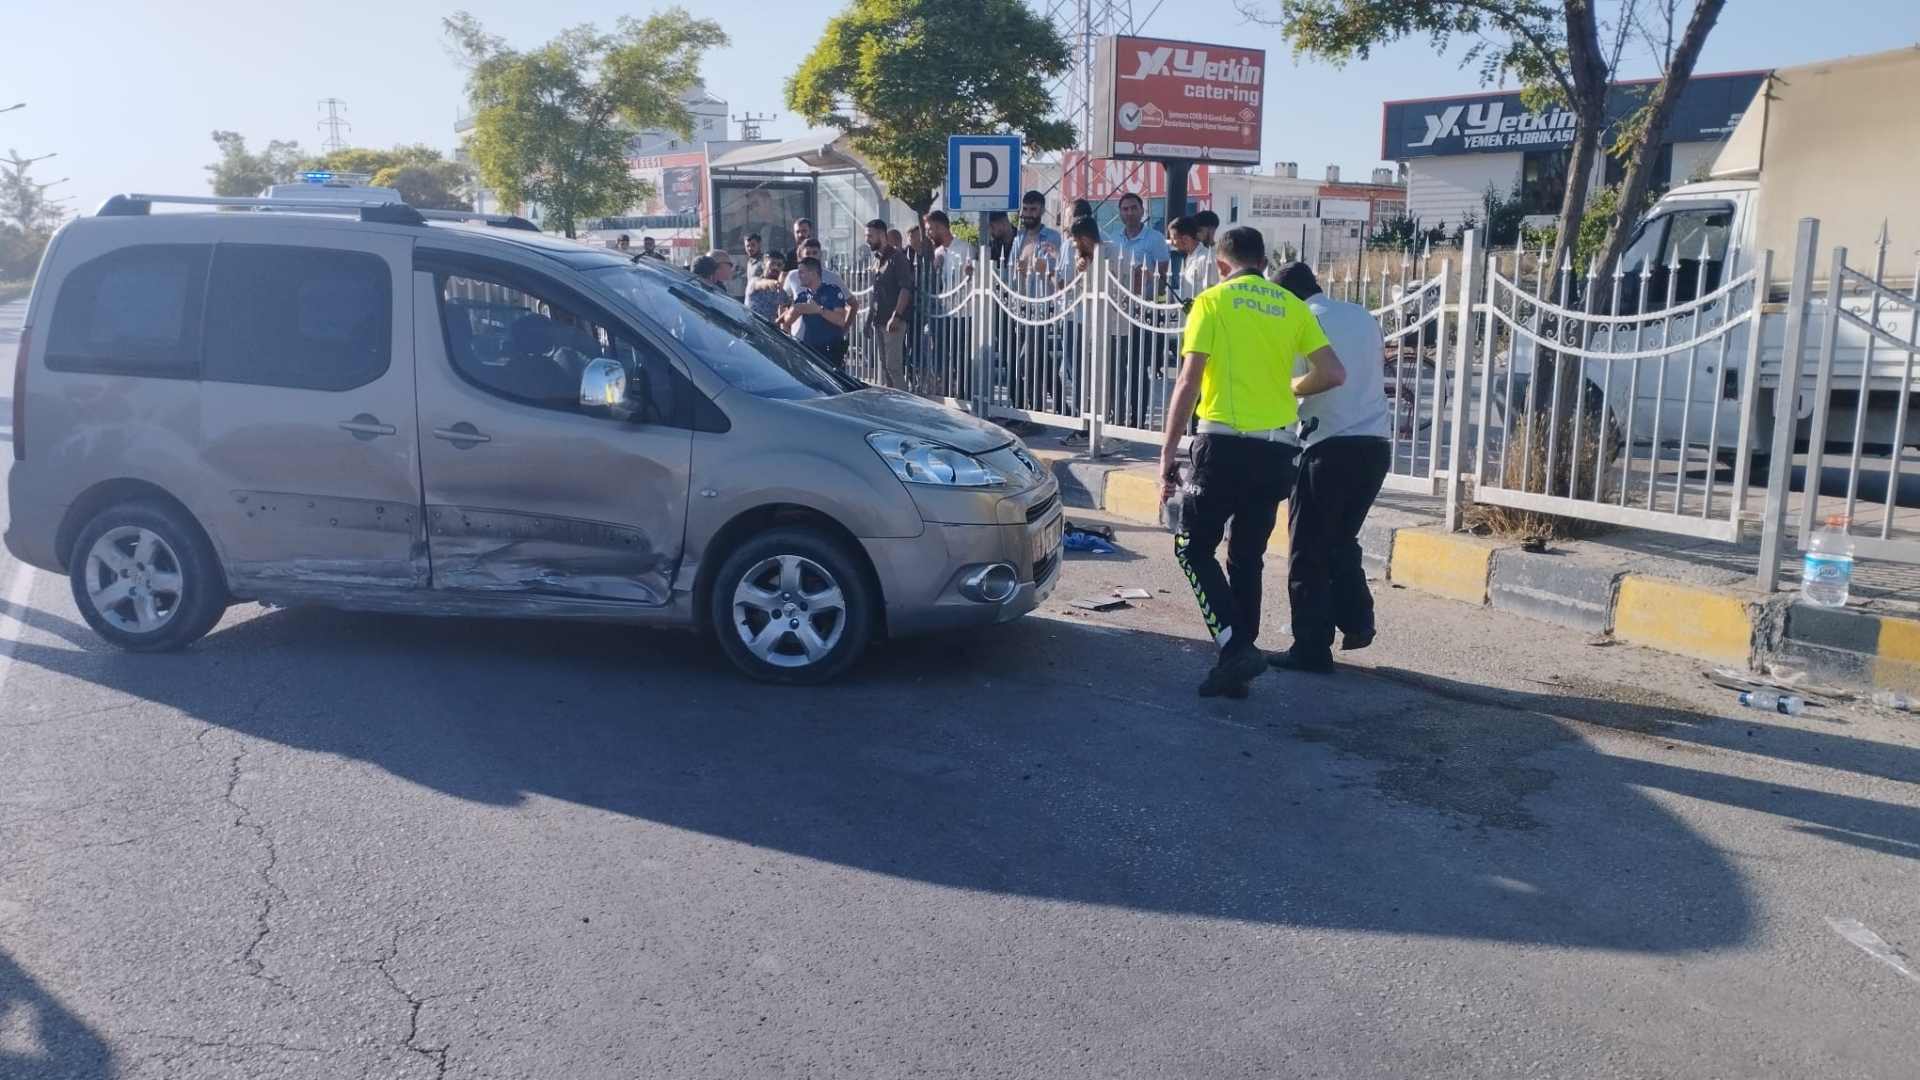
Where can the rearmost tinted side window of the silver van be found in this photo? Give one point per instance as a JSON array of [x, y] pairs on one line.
[[132, 312]]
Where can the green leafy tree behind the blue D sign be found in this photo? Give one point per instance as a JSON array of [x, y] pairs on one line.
[[901, 76]]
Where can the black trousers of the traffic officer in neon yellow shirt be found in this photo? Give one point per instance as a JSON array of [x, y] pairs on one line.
[[1241, 483]]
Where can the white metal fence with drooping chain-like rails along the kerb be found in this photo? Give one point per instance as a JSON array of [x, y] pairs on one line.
[[1644, 399]]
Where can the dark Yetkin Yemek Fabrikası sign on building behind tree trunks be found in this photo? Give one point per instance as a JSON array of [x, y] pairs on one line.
[[1500, 124]]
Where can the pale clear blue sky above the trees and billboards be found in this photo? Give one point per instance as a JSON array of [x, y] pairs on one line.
[[128, 91]]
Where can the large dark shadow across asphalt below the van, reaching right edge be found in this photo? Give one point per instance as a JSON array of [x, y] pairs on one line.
[[1053, 760]]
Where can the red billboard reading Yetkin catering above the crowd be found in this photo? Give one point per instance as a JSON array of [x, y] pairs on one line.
[[1178, 99]]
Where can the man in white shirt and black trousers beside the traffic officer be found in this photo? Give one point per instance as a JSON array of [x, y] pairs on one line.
[[1343, 464]]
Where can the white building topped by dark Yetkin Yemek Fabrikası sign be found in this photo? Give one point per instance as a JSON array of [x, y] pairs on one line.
[[1460, 147]]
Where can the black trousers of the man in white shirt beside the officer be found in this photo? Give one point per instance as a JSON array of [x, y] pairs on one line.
[[1326, 583]]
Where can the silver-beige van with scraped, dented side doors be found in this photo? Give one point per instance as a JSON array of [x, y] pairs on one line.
[[425, 412]]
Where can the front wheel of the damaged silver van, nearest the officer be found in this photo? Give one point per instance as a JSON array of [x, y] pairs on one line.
[[792, 606]]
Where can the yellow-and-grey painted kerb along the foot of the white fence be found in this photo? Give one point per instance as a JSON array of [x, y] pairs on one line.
[[1685, 597]]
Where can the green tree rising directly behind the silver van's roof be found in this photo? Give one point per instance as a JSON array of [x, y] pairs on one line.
[[552, 124]]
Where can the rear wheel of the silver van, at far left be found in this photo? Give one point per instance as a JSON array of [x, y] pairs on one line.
[[147, 579]]
